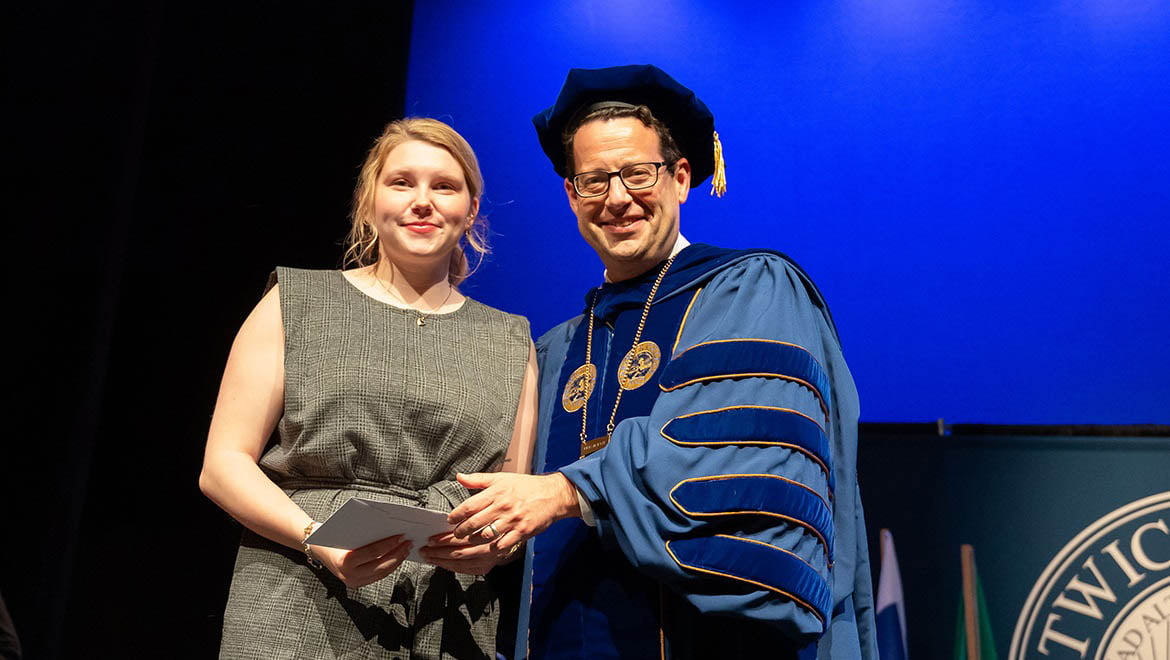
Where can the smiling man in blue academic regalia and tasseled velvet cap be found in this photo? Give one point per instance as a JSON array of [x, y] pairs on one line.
[[698, 424]]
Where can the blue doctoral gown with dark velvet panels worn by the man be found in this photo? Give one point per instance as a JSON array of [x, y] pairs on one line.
[[729, 522]]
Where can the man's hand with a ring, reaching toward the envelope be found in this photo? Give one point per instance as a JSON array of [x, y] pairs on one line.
[[512, 508]]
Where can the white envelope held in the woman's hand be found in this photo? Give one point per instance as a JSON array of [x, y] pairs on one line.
[[361, 522]]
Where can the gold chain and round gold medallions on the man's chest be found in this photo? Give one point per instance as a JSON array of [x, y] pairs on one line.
[[636, 369]]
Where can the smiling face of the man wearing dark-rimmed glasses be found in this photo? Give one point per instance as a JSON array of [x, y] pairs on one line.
[[632, 231]]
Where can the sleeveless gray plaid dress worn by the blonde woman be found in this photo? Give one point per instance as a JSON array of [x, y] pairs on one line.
[[378, 408]]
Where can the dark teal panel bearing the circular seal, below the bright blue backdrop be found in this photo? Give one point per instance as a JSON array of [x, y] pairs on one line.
[[1070, 532]]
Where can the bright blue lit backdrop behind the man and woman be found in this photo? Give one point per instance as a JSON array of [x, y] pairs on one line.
[[981, 190]]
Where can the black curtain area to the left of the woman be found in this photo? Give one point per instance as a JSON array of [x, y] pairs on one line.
[[167, 157]]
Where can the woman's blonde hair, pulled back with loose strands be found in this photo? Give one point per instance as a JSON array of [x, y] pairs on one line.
[[362, 242]]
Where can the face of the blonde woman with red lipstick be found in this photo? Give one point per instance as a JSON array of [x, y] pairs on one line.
[[422, 207]]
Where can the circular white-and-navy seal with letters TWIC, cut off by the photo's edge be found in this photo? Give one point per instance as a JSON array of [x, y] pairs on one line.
[[1106, 595]]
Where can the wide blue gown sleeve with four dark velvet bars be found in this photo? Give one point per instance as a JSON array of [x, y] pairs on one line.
[[731, 491]]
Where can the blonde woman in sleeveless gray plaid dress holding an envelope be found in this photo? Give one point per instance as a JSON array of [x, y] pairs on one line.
[[384, 383]]
